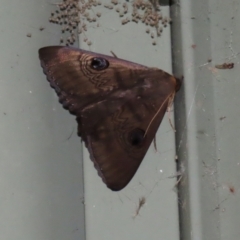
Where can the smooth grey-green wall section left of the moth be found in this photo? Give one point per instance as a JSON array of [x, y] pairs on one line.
[[41, 169]]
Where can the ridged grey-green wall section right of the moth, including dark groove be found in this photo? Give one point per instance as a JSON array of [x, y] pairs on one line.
[[206, 33]]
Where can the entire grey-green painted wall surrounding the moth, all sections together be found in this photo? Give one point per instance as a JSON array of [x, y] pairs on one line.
[[40, 176]]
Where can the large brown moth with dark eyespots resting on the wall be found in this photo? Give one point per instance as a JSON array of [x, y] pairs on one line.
[[118, 105]]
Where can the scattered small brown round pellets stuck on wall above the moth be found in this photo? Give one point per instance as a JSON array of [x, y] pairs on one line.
[[74, 16]]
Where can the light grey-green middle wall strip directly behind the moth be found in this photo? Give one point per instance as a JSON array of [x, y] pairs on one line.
[[110, 215]]
